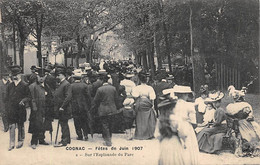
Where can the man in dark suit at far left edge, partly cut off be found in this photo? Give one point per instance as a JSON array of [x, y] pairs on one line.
[[3, 85]]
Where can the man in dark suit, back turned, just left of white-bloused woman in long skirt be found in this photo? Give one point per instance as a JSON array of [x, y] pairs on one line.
[[105, 101]]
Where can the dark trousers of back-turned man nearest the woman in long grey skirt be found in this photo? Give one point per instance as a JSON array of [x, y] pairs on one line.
[[107, 122]]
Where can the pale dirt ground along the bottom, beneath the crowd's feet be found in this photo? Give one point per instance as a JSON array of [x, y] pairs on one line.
[[93, 152]]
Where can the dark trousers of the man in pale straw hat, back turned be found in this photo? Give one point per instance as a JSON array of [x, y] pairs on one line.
[[80, 123]]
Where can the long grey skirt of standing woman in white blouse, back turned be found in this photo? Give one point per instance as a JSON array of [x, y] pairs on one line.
[[145, 119]]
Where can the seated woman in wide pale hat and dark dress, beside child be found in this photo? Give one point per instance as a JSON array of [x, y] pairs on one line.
[[210, 138]]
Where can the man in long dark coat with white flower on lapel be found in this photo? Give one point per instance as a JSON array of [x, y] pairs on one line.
[[40, 111]]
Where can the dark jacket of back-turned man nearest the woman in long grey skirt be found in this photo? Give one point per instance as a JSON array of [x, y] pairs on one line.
[[106, 100]]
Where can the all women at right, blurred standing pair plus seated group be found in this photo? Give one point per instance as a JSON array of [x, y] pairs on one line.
[[209, 122]]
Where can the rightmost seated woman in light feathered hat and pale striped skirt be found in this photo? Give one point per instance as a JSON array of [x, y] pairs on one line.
[[249, 130]]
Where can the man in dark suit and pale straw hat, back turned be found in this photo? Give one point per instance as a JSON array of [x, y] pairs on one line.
[[81, 103]]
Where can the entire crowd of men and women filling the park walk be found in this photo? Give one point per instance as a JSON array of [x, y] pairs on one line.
[[120, 97]]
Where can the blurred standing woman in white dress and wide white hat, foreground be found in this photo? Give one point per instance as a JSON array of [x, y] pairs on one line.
[[183, 148]]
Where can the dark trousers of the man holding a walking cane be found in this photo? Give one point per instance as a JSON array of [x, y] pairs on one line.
[[65, 130]]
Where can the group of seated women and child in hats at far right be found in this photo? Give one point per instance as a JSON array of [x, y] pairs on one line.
[[233, 125]]
